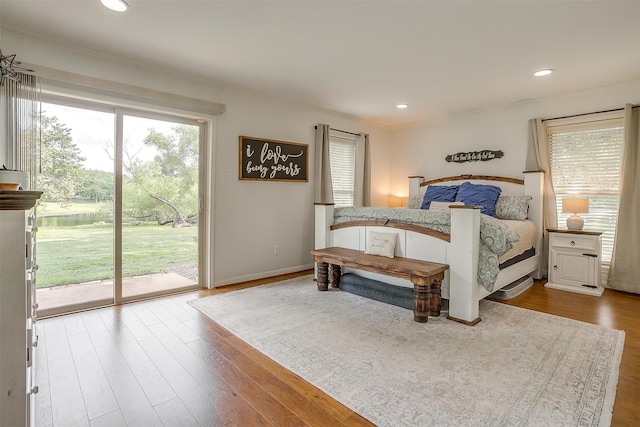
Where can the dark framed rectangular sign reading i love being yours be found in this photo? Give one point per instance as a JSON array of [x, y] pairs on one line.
[[271, 160]]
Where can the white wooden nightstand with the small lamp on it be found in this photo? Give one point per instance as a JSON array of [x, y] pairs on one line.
[[574, 261]]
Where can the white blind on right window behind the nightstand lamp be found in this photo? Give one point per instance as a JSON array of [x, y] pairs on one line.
[[586, 162]]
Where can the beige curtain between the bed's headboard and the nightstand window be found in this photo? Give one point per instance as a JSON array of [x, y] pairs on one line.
[[538, 158]]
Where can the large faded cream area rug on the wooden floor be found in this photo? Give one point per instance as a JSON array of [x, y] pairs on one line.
[[516, 367]]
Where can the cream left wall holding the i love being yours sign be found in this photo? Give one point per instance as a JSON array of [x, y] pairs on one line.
[[250, 217]]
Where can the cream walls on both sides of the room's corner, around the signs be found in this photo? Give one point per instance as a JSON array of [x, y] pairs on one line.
[[250, 218]]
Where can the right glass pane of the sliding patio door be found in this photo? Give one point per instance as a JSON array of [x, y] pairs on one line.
[[159, 206]]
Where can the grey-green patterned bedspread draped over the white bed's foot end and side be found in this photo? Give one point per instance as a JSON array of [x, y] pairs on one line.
[[496, 236]]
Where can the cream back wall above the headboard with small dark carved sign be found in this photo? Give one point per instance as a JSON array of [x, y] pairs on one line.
[[420, 149]]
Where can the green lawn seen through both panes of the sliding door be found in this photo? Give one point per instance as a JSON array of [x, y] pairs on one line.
[[85, 253]]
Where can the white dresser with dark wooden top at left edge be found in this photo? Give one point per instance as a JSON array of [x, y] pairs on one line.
[[18, 336]]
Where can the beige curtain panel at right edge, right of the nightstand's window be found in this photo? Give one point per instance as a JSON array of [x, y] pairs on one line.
[[624, 271]]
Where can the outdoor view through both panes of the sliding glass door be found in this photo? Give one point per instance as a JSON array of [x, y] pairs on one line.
[[99, 243]]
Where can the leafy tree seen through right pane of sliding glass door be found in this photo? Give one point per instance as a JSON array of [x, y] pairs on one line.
[[166, 187]]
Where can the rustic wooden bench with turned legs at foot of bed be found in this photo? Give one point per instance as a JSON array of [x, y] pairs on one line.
[[426, 276]]
